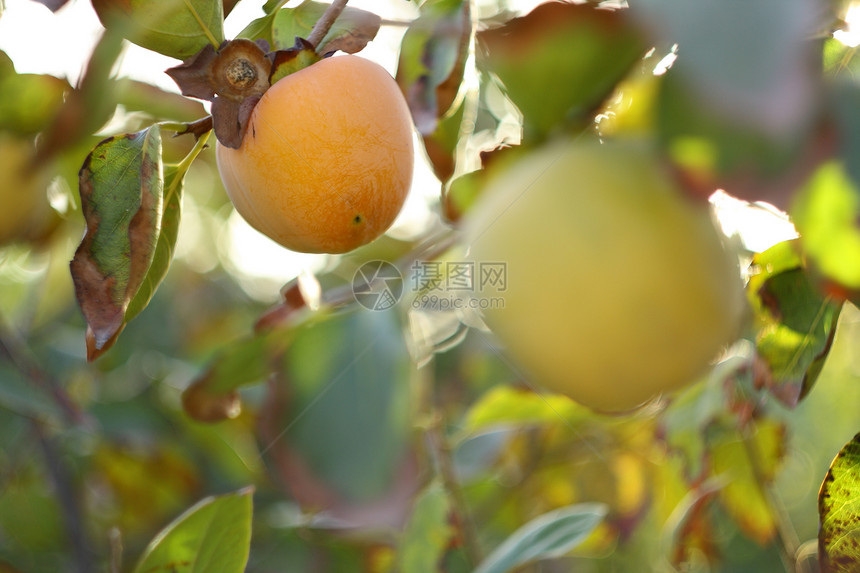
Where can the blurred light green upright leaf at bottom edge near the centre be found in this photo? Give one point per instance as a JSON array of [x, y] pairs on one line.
[[427, 532]]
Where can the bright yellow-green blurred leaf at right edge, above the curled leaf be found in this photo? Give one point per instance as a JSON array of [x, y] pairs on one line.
[[825, 213]]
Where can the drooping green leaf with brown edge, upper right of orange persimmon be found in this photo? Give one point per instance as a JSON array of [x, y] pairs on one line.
[[433, 56]]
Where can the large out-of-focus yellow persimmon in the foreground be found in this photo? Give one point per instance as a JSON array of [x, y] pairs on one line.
[[618, 287]]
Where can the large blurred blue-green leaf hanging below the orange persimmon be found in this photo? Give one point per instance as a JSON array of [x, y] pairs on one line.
[[347, 416]]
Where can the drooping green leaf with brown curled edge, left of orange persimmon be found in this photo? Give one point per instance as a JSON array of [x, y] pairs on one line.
[[121, 185]]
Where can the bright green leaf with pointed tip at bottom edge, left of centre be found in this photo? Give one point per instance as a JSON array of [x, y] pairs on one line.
[[214, 536]]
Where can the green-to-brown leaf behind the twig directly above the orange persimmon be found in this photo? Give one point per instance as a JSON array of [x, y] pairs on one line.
[[352, 30]]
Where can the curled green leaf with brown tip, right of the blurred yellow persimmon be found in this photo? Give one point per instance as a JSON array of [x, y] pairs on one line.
[[796, 323]]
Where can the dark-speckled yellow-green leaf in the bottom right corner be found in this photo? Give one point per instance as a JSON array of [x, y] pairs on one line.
[[839, 512]]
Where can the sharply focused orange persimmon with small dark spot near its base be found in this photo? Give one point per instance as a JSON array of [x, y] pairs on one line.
[[326, 161]]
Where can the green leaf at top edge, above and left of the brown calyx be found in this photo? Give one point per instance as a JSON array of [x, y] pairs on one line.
[[175, 28]]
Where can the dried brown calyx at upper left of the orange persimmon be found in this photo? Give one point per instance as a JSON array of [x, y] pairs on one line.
[[233, 78]]
